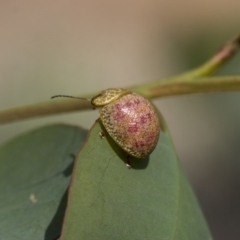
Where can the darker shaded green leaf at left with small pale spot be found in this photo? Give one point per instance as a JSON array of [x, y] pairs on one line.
[[35, 171]]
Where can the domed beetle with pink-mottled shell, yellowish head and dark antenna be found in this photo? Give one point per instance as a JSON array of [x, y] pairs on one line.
[[129, 119]]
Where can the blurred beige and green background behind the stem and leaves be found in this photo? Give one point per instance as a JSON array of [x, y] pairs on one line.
[[76, 47]]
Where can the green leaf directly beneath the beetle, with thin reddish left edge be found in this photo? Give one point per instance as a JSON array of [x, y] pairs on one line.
[[153, 200]]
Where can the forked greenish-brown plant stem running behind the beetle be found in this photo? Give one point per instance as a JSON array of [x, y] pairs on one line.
[[187, 83]]
